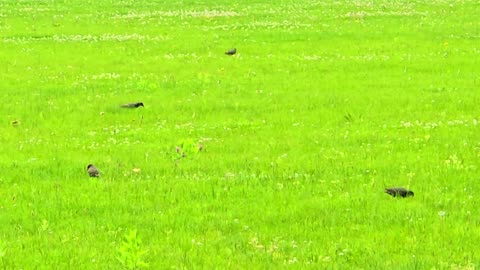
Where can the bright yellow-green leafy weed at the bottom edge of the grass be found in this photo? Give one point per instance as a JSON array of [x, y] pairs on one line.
[[131, 252]]
